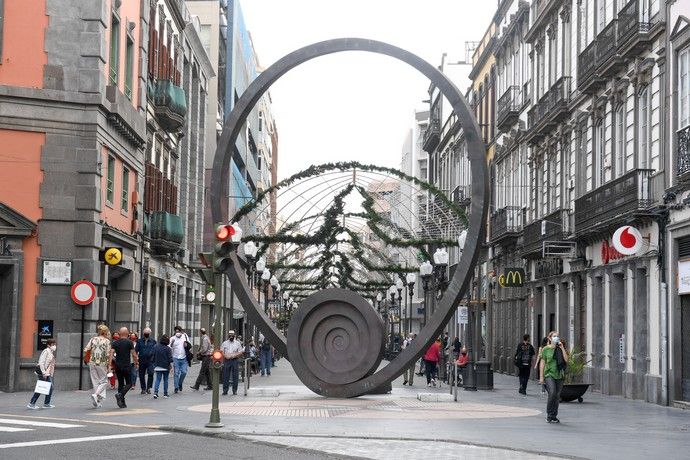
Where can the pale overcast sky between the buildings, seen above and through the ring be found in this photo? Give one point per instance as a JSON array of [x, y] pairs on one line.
[[356, 106]]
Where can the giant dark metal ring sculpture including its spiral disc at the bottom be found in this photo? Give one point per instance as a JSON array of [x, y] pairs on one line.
[[332, 316]]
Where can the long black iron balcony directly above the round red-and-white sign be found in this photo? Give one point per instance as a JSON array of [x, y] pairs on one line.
[[611, 203]]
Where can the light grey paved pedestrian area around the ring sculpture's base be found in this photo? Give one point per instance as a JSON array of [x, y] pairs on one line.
[[389, 426]]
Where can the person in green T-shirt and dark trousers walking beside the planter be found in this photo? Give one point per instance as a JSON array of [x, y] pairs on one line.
[[554, 359]]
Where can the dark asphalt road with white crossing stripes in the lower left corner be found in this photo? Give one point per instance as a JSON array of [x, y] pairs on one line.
[[45, 438]]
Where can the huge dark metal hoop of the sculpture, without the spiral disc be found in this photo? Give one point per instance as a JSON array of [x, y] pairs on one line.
[[477, 216]]
